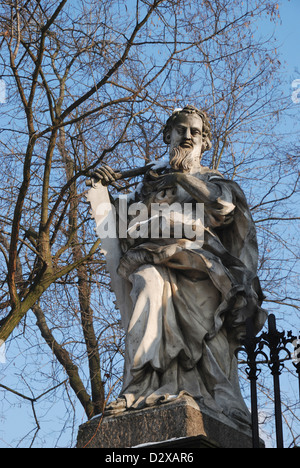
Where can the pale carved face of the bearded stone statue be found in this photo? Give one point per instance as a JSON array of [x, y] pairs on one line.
[[187, 133]]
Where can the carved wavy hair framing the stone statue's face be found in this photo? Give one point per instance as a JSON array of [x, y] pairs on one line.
[[207, 136]]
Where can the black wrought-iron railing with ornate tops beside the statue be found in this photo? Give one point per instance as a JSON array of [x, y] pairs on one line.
[[275, 348]]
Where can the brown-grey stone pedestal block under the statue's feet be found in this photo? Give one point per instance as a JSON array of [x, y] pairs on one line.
[[179, 424]]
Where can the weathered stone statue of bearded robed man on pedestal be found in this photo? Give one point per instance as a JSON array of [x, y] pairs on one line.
[[184, 302]]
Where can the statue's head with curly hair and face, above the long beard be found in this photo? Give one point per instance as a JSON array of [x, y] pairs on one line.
[[188, 128]]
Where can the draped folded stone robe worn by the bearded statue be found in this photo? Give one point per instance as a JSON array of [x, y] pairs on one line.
[[189, 301]]
